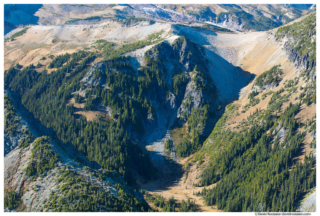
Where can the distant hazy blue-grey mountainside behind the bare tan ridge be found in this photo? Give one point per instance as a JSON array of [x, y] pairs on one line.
[[233, 16]]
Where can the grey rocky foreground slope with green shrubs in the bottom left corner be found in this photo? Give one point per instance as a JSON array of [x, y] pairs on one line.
[[41, 175]]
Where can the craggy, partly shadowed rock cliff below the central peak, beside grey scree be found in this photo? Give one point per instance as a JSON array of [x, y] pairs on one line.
[[186, 60]]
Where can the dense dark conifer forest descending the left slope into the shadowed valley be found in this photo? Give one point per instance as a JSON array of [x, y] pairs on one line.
[[46, 95]]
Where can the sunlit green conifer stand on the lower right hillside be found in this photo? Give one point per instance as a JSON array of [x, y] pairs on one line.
[[257, 171]]
